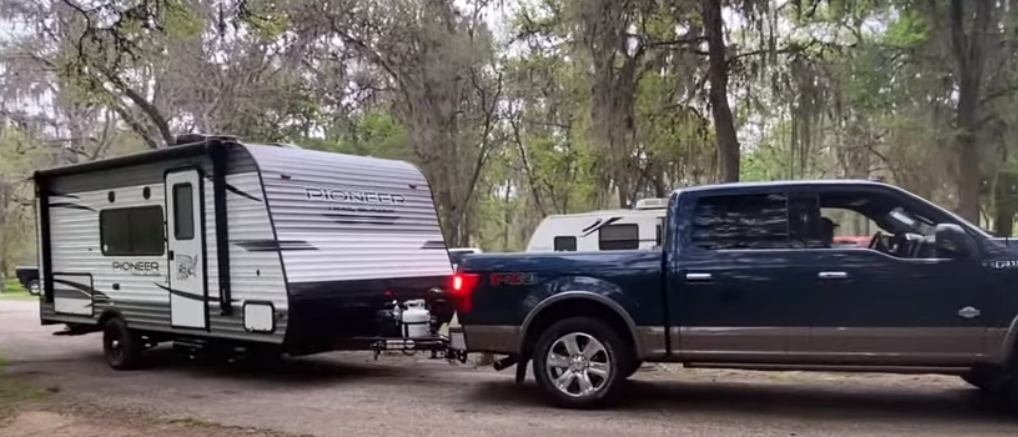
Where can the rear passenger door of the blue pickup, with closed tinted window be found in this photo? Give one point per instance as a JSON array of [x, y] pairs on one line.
[[737, 285]]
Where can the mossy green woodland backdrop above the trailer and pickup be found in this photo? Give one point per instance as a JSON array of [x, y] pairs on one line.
[[820, 89]]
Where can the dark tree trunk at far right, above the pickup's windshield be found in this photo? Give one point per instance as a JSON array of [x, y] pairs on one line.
[[969, 53]]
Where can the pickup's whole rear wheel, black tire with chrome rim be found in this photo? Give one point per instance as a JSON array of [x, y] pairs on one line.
[[582, 363]]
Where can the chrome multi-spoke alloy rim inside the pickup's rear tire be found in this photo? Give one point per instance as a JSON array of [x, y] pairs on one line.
[[579, 365]]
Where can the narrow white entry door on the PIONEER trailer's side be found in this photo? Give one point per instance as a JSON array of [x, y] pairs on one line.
[[186, 244]]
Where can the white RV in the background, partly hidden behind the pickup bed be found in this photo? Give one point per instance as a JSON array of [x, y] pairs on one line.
[[638, 229]]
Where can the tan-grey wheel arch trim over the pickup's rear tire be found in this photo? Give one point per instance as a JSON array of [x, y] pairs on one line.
[[578, 307]]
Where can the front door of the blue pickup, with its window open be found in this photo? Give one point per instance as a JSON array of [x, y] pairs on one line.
[[900, 306]]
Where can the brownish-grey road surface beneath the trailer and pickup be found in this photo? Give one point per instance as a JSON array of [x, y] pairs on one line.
[[348, 395]]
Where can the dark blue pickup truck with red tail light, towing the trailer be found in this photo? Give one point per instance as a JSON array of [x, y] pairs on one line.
[[749, 278]]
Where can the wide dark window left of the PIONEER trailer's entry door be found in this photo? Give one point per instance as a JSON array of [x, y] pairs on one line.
[[133, 232]]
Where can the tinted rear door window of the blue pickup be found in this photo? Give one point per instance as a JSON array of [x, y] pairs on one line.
[[741, 223]]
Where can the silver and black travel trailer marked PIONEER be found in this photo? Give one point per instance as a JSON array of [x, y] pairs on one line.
[[217, 245]]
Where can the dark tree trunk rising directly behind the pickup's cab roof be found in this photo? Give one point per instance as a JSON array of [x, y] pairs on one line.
[[724, 123]]
